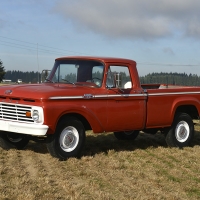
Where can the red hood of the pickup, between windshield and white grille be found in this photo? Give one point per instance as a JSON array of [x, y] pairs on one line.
[[43, 91]]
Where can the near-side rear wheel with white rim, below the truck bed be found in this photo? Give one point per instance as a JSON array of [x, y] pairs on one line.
[[181, 132]]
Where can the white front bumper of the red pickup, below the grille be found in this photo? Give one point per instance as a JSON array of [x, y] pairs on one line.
[[29, 129]]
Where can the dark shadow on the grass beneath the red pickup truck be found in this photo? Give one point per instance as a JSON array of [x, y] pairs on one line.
[[102, 143]]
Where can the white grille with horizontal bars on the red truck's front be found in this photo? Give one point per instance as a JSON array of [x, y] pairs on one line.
[[15, 112]]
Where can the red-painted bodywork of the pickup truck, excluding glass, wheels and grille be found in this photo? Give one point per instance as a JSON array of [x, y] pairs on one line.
[[106, 109]]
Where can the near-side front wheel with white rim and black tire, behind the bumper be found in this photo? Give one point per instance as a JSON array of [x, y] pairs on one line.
[[68, 140]]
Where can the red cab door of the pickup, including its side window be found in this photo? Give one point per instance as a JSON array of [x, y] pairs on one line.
[[126, 104]]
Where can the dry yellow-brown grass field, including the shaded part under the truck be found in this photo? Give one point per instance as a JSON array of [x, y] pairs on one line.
[[109, 169]]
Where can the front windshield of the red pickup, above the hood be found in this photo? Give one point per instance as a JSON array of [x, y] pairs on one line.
[[77, 72]]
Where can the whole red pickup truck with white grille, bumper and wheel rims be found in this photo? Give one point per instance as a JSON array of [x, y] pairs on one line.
[[99, 94]]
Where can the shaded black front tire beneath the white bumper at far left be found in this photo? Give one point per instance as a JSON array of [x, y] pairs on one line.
[[10, 140]]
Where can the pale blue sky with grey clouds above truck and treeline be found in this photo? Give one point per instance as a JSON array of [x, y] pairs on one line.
[[160, 35]]
